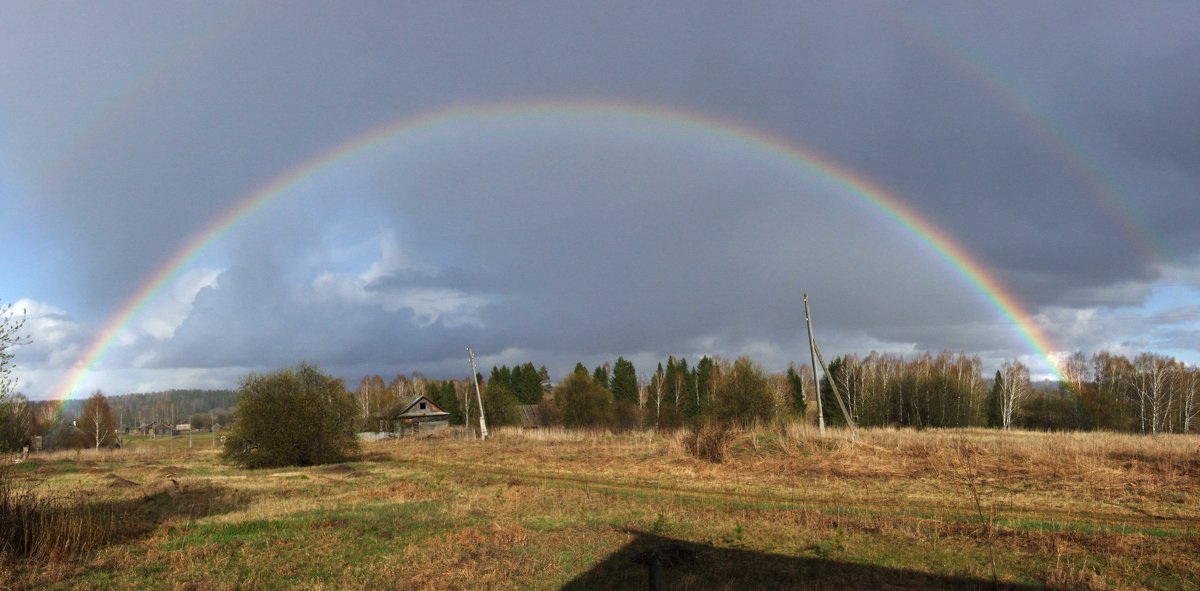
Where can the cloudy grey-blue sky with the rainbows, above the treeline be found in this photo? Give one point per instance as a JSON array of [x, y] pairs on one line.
[[194, 192]]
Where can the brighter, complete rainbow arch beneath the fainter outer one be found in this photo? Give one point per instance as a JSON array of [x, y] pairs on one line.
[[566, 112]]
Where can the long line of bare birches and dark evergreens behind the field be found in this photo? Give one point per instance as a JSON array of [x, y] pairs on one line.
[[1149, 393]]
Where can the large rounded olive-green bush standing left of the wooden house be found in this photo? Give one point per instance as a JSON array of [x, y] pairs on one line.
[[293, 417]]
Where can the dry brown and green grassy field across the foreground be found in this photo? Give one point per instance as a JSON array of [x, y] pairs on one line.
[[568, 510]]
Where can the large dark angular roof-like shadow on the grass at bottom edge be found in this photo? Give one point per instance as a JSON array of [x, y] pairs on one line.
[[688, 565]]
